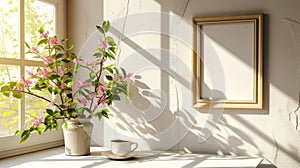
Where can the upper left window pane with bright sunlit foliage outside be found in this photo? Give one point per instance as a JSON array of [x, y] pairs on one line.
[[9, 29]]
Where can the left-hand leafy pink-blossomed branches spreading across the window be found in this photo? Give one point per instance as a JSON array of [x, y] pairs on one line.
[[53, 78]]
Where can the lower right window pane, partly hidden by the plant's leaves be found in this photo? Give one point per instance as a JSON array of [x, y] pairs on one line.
[[35, 107]]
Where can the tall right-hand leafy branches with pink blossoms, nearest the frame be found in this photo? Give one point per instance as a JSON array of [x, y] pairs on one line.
[[105, 83]]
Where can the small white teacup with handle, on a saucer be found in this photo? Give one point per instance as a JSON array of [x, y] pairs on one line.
[[122, 147]]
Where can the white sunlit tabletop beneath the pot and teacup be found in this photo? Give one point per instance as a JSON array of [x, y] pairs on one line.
[[55, 158]]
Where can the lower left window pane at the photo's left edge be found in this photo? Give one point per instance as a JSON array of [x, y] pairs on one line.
[[9, 108]]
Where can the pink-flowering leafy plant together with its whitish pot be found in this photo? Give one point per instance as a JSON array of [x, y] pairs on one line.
[[71, 99]]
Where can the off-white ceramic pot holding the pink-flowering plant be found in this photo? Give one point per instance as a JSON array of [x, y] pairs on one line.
[[77, 136]]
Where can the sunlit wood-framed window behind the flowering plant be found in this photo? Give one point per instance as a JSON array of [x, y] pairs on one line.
[[19, 22]]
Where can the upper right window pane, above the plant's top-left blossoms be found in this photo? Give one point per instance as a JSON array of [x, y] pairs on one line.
[[38, 13]]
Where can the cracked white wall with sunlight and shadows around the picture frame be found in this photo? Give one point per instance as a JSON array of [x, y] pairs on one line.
[[267, 133]]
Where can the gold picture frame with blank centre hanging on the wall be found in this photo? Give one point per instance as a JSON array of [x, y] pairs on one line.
[[228, 62]]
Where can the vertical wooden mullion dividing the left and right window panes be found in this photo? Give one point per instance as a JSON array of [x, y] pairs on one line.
[[22, 57]]
